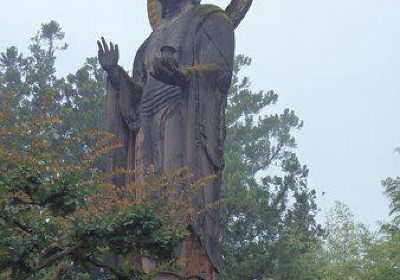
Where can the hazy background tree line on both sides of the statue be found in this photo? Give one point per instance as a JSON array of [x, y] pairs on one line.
[[268, 210]]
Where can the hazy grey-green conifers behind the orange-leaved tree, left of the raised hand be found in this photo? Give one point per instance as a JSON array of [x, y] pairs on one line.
[[78, 100]]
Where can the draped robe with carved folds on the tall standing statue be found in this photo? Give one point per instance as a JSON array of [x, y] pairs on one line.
[[171, 127]]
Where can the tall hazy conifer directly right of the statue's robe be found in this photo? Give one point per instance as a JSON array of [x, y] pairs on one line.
[[267, 210]]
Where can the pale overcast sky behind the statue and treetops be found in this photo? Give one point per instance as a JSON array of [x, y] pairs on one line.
[[335, 62]]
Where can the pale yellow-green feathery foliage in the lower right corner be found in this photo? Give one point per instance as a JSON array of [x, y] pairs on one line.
[[349, 251]]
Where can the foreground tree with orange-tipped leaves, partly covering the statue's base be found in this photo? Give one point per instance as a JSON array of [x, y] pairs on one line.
[[55, 215]]
